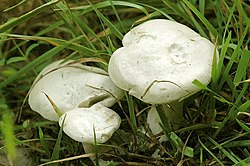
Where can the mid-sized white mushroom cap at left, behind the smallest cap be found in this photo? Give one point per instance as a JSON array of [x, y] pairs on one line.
[[69, 86]]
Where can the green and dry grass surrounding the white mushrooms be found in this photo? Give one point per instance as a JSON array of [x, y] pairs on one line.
[[216, 129]]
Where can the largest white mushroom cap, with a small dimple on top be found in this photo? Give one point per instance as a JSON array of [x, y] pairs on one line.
[[159, 61]]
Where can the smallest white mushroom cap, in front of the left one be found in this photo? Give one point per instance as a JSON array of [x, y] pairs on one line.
[[80, 123]]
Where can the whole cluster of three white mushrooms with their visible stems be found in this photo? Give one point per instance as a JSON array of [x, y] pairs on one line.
[[157, 64]]
